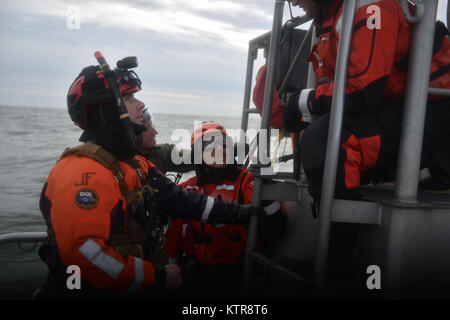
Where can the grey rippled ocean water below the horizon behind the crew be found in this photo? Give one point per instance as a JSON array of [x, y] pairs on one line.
[[32, 140]]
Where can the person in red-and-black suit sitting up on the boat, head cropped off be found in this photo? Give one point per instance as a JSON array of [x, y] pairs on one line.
[[375, 92]]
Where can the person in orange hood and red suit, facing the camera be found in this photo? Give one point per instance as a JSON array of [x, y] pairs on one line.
[[213, 254]]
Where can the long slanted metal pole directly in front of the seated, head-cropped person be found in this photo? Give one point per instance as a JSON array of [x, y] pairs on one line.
[[334, 136]]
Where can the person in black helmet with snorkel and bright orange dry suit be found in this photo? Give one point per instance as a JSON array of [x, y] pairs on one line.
[[100, 198]]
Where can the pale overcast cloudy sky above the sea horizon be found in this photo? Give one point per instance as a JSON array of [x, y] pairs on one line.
[[192, 53]]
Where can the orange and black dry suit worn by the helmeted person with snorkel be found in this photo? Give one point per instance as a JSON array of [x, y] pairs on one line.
[[88, 206]]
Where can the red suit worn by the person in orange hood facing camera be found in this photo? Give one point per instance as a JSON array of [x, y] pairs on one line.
[[208, 244]]
